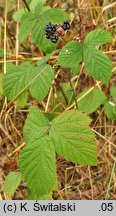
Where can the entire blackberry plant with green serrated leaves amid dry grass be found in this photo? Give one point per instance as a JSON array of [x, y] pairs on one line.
[[68, 134]]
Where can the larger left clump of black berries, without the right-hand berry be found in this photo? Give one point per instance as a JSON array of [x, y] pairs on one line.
[[50, 30]]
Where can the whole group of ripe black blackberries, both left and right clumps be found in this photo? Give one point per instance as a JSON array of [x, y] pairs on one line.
[[50, 30]]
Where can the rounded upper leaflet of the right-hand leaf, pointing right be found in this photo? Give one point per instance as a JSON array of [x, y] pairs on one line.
[[98, 37]]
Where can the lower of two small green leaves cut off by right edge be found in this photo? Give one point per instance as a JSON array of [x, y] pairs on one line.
[[110, 110]]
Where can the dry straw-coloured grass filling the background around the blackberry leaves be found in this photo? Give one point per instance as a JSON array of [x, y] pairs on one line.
[[75, 181]]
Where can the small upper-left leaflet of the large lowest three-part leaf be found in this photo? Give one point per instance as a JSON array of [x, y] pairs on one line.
[[35, 125]]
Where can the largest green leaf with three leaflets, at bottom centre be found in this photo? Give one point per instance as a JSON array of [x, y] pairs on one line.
[[68, 134]]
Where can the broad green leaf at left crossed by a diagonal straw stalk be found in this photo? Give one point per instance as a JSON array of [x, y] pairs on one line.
[[28, 77]]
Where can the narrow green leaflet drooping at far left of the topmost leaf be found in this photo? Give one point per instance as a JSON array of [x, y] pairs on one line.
[[27, 23]]
